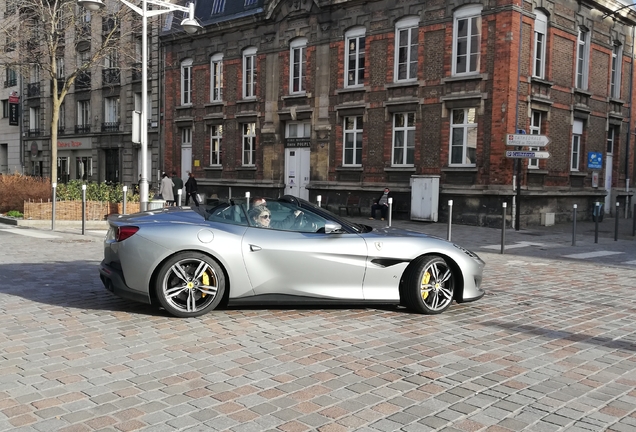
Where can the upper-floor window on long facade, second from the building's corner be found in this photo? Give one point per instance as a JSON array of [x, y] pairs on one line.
[[406, 33]]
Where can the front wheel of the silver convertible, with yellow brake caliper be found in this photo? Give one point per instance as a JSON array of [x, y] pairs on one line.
[[429, 286]]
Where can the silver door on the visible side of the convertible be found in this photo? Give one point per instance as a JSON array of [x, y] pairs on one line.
[[306, 264]]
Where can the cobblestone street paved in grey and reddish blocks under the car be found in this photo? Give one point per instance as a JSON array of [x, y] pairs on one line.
[[551, 347]]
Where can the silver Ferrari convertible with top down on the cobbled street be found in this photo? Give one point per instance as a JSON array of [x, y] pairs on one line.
[[283, 251]]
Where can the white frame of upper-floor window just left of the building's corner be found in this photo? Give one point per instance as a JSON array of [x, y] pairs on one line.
[[474, 30]]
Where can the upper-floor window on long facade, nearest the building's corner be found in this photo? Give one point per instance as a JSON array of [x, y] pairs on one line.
[[466, 40]]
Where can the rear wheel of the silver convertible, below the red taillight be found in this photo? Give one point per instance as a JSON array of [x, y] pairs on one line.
[[190, 284]]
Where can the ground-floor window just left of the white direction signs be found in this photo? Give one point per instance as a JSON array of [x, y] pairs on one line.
[[463, 137]]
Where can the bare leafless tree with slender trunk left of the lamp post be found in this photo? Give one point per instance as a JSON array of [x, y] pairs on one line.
[[37, 33]]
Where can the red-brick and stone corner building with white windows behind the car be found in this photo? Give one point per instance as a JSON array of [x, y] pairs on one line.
[[342, 98]]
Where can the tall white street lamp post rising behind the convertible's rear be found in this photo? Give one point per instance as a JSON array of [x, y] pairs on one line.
[[190, 25]]
